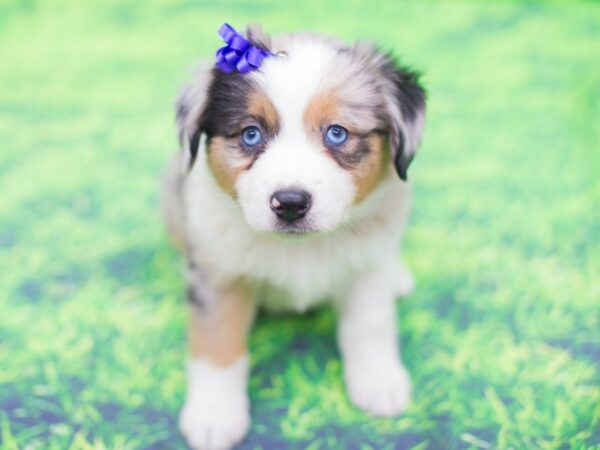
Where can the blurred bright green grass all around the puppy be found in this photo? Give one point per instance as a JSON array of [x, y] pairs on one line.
[[502, 335]]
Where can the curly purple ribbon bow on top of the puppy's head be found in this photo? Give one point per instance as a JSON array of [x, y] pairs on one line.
[[238, 54]]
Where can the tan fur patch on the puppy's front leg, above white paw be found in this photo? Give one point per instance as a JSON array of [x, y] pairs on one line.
[[220, 334]]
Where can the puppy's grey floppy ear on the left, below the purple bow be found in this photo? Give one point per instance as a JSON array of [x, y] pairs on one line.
[[190, 104]]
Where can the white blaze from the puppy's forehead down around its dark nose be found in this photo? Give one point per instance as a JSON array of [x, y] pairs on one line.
[[292, 159]]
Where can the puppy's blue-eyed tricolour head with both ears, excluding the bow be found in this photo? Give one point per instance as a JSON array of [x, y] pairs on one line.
[[304, 139]]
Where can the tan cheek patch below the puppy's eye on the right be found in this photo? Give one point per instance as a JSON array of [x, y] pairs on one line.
[[371, 169]]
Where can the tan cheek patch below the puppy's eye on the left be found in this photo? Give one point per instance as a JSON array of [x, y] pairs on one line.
[[225, 164]]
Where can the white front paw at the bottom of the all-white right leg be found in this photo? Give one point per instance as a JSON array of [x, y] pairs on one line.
[[378, 389]]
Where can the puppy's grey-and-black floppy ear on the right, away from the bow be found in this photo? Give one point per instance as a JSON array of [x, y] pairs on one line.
[[406, 112]]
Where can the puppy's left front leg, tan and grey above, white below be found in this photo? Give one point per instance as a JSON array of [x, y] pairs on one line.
[[216, 412]]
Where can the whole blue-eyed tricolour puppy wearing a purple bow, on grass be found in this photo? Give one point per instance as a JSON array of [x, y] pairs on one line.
[[290, 190]]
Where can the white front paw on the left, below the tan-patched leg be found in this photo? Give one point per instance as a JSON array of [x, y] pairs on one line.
[[209, 425]]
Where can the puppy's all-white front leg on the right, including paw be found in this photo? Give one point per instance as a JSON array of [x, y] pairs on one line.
[[376, 380]]
